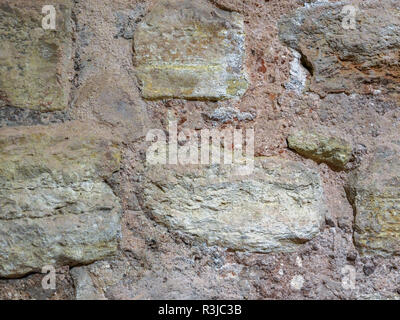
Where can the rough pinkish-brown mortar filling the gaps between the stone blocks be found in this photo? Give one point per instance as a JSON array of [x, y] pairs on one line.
[[156, 262]]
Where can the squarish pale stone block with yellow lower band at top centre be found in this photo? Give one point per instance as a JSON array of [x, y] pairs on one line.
[[192, 50]]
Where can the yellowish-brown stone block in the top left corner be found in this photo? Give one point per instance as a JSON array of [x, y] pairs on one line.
[[35, 64]]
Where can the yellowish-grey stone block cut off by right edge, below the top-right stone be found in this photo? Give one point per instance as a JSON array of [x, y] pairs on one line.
[[375, 193]]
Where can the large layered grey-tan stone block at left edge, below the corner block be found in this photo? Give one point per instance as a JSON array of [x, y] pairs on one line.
[[55, 208]]
